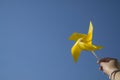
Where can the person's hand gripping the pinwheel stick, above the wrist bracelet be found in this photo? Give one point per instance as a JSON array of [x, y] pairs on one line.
[[108, 65]]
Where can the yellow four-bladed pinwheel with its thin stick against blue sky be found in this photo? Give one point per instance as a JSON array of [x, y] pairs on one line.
[[83, 42]]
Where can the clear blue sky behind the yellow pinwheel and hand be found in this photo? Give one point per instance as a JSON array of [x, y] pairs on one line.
[[34, 36]]
